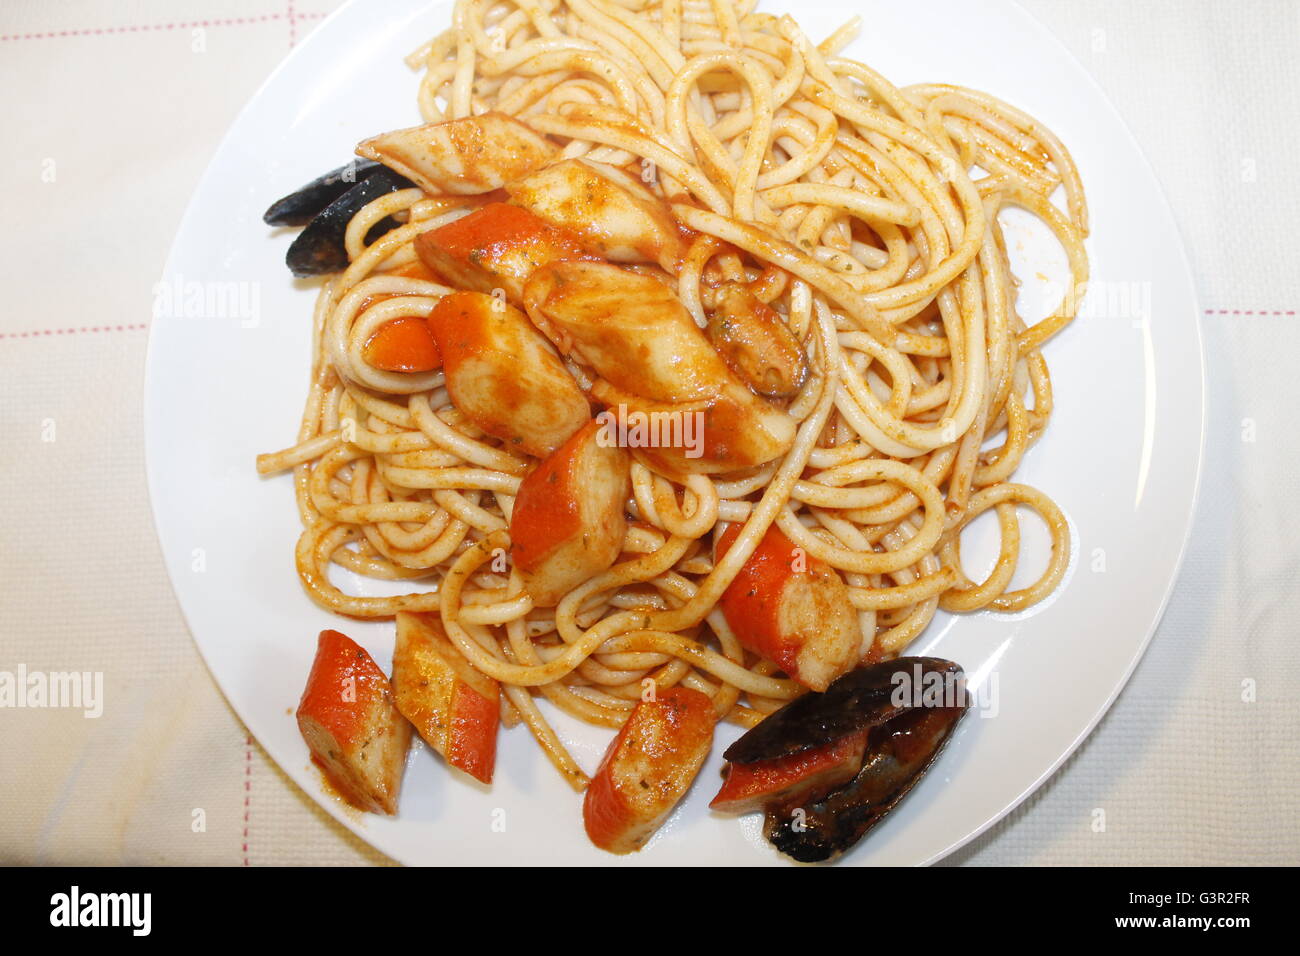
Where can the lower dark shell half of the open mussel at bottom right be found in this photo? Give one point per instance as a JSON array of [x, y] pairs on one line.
[[827, 825]]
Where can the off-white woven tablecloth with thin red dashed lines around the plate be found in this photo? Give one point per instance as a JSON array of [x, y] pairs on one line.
[[112, 115]]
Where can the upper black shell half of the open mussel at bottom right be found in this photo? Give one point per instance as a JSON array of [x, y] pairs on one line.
[[861, 699]]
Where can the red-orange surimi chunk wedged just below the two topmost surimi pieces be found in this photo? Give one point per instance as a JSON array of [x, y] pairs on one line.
[[499, 246]]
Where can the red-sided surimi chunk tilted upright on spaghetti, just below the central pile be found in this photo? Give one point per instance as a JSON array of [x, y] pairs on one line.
[[569, 520]]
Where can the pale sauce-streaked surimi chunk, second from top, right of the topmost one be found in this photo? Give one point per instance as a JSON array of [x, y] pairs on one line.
[[612, 214]]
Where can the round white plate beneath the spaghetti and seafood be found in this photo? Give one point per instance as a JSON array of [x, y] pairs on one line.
[[1123, 455]]
